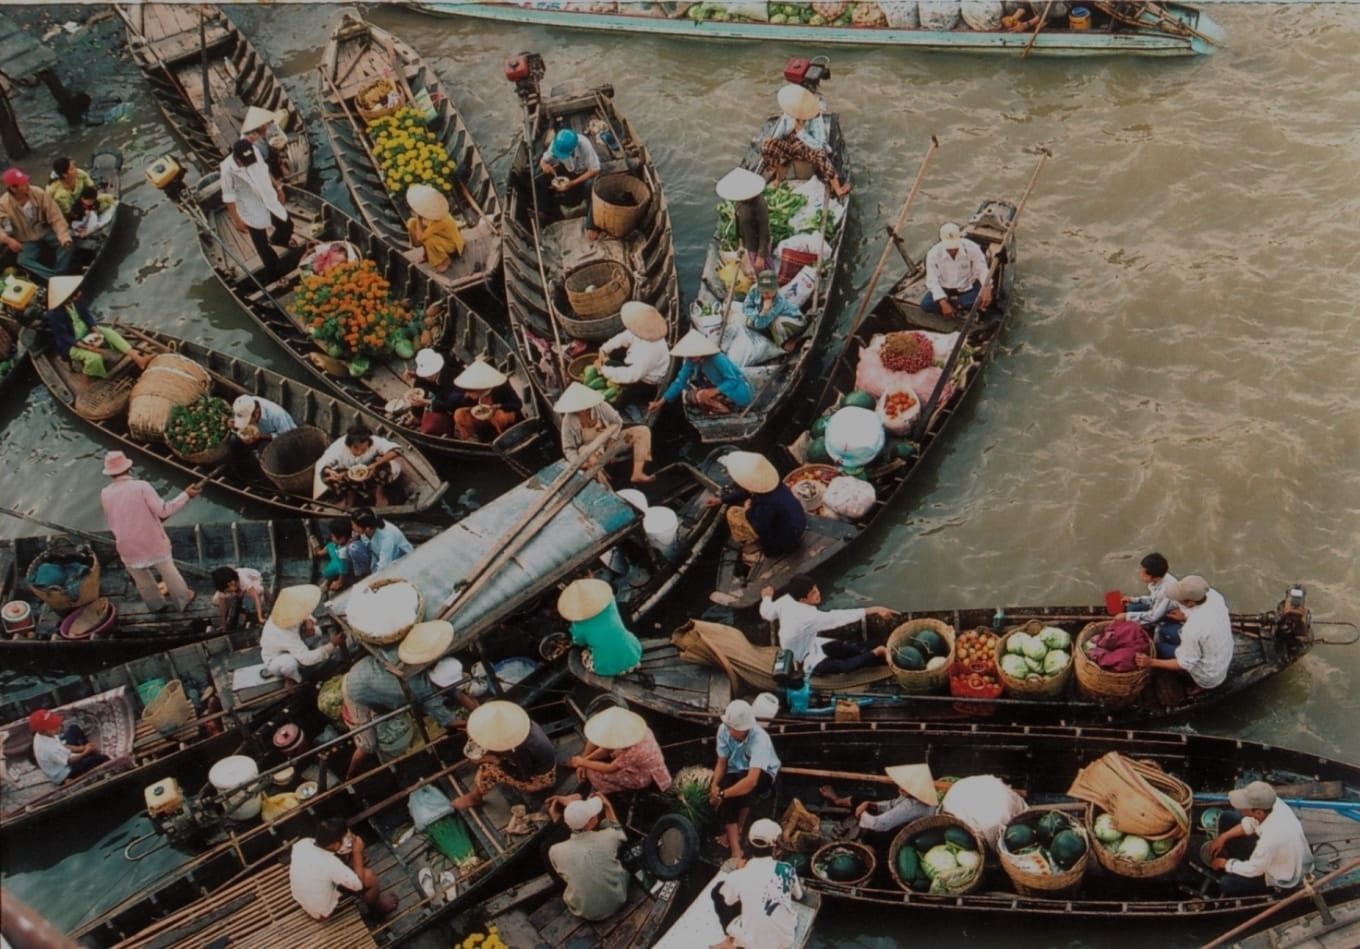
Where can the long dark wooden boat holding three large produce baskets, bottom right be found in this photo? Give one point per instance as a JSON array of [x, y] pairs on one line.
[[1041, 763]]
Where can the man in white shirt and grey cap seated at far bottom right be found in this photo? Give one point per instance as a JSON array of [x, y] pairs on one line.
[[1282, 856]]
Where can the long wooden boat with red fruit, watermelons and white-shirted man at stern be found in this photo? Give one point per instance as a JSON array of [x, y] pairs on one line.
[[898, 311]]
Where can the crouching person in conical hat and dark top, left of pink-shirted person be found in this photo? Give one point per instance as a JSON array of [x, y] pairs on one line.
[[517, 753]]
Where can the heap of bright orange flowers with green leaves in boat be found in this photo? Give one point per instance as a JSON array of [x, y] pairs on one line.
[[350, 313]]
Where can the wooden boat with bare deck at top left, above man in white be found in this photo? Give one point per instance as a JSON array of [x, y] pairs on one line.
[[205, 75]]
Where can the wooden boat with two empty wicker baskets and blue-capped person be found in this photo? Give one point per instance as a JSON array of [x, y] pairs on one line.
[[562, 290]]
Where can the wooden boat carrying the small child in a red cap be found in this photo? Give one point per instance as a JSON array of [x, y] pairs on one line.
[[111, 708]]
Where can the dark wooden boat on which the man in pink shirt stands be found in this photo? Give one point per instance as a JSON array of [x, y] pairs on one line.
[[279, 550]]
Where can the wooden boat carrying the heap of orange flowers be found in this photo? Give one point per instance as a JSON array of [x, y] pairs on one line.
[[460, 332]]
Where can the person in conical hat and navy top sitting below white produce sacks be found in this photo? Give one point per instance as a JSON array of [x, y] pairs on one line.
[[764, 515]]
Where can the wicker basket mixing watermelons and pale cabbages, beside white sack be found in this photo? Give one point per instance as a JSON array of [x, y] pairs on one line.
[[938, 855]]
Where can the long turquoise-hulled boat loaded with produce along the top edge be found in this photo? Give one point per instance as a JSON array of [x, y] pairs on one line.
[[1158, 31]]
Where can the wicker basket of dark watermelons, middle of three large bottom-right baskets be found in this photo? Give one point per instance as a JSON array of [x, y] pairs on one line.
[[1045, 852]]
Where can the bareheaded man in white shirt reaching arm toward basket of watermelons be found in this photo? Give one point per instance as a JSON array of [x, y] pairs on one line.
[[799, 622]]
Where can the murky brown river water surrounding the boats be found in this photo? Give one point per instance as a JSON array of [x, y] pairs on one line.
[[1178, 375]]
